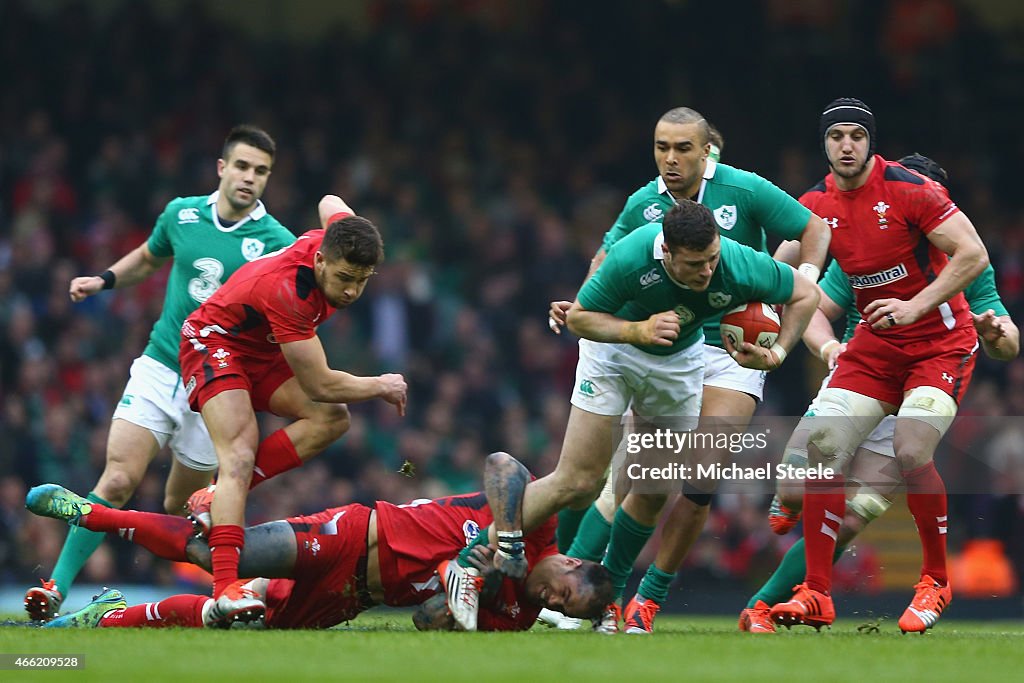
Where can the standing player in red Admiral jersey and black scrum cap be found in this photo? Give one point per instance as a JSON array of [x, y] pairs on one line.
[[909, 252]]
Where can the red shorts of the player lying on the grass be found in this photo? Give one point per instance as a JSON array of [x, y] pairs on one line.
[[329, 583]]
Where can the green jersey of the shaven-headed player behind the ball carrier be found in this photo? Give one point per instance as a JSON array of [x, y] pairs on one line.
[[745, 206]]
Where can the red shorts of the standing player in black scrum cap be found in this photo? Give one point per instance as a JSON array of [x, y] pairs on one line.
[[885, 369]]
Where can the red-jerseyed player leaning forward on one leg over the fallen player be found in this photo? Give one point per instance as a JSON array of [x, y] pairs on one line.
[[253, 347]]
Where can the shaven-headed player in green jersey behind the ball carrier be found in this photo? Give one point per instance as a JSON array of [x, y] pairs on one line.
[[745, 207]]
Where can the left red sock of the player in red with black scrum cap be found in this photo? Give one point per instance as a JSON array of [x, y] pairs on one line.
[[825, 506]]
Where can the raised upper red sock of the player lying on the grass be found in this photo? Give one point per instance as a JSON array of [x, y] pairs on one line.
[[164, 536]]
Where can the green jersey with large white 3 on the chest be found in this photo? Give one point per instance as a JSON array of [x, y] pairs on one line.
[[205, 255]]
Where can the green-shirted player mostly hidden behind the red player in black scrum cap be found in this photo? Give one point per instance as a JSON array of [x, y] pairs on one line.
[[874, 467]]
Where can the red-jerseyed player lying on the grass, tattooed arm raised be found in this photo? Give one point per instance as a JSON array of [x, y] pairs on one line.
[[322, 570]]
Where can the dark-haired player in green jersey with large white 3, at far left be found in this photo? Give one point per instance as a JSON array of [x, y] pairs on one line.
[[208, 238]]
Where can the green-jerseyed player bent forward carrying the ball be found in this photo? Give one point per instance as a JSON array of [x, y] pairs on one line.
[[641, 319]]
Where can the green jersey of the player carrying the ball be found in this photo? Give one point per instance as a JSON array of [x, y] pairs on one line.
[[633, 285]]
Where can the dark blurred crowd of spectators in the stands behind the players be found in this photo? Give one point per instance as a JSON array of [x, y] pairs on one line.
[[494, 143]]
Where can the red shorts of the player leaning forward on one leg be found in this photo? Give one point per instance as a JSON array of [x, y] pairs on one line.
[[218, 365]]
